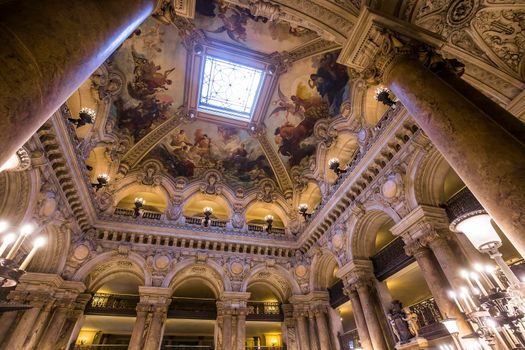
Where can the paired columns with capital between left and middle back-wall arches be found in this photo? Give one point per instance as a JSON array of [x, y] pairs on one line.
[[152, 308]]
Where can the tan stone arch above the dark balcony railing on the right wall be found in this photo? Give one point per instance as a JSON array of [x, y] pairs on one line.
[[363, 230]]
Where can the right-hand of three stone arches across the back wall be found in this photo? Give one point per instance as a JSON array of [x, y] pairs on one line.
[[283, 282]]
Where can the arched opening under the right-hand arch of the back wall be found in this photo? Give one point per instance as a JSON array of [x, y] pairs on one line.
[[265, 316]]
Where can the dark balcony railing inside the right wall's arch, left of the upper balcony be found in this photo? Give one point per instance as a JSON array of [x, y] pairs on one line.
[[391, 259]]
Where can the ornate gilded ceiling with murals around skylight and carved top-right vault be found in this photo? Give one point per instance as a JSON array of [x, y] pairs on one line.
[[153, 141]]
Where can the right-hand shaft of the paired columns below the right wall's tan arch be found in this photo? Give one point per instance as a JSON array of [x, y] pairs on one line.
[[368, 304]]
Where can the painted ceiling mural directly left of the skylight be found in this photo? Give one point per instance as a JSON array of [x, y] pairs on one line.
[[153, 61]]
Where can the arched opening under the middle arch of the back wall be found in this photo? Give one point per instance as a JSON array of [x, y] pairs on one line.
[[191, 315]]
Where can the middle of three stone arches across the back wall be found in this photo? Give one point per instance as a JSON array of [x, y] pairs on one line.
[[208, 272]]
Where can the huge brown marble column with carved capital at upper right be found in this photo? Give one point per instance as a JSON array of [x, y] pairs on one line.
[[483, 154]]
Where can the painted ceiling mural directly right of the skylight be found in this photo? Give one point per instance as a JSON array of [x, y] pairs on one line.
[[313, 89]]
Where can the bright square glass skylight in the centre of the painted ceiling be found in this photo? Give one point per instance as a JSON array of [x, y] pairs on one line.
[[258, 78]]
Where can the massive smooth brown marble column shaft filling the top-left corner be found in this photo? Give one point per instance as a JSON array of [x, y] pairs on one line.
[[49, 48]]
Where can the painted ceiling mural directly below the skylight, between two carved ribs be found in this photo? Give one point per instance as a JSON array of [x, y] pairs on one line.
[[191, 150]]
